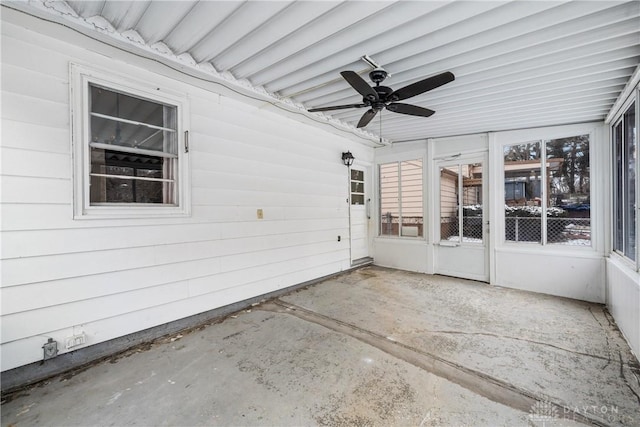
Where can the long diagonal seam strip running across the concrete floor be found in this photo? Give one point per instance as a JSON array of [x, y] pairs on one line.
[[477, 382]]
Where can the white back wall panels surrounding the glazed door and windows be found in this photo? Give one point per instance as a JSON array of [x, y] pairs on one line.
[[573, 272]]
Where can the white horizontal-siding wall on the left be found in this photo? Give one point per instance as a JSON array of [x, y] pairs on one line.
[[111, 277]]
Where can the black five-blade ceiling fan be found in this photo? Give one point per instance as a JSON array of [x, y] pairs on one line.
[[379, 97]]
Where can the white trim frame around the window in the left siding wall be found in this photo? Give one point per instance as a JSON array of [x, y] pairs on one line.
[[80, 78]]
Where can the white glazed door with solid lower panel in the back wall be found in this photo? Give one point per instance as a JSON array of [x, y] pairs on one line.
[[461, 238]]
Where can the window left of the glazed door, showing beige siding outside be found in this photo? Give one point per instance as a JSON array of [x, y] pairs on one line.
[[401, 207]]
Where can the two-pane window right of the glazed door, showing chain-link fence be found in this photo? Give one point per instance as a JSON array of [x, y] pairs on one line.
[[548, 202]]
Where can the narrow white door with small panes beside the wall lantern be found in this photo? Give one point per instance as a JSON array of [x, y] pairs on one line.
[[359, 213]]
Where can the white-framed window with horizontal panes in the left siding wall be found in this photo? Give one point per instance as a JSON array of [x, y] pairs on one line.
[[130, 156]]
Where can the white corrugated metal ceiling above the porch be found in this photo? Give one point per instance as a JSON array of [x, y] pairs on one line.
[[517, 63]]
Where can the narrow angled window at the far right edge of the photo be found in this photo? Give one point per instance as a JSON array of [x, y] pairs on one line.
[[624, 157]]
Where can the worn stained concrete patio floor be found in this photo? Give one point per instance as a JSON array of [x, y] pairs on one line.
[[373, 346]]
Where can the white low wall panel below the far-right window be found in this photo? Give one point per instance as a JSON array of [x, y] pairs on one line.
[[623, 299]]
